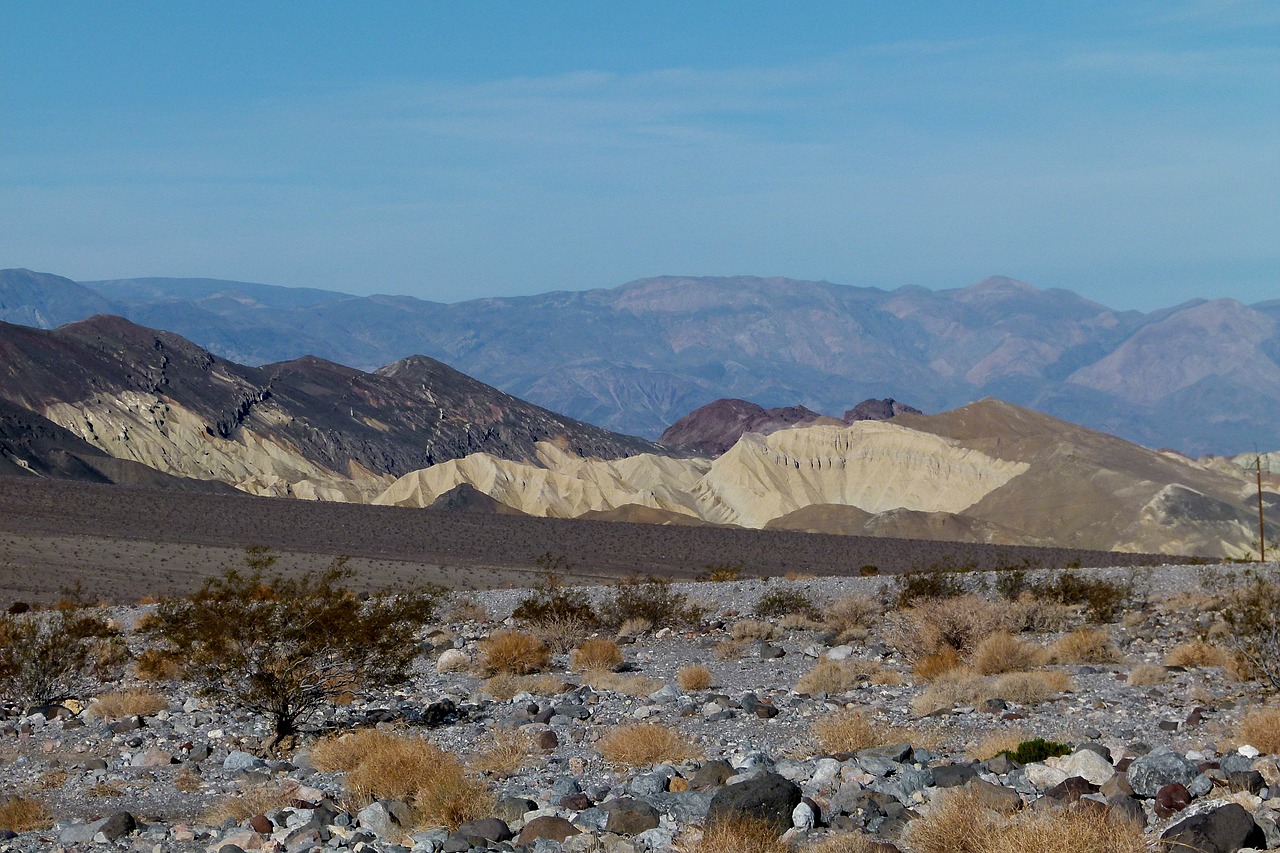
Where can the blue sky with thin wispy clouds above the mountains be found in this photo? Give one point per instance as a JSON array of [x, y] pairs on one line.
[[1128, 152]]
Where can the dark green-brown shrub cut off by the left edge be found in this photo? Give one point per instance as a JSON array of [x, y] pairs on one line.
[[49, 656]]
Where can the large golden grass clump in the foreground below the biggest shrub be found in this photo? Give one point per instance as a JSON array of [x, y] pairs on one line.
[[381, 765]]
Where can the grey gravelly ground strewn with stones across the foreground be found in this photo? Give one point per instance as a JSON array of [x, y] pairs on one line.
[[865, 755]]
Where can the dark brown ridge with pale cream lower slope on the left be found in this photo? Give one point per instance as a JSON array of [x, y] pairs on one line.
[[305, 428]]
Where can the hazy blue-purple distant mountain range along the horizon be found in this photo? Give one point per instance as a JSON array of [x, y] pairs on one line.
[[1203, 377]]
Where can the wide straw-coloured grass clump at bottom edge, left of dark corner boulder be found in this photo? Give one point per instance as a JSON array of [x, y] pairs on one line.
[[959, 823]]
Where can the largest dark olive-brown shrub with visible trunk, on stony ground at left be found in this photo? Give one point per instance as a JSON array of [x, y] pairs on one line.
[[285, 647]]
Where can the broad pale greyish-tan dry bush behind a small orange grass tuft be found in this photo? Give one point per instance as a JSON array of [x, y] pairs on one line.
[[932, 624]]
